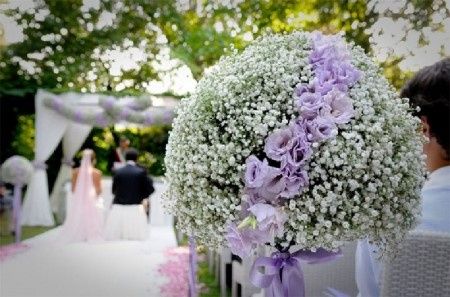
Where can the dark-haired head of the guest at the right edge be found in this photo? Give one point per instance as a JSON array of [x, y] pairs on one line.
[[429, 90]]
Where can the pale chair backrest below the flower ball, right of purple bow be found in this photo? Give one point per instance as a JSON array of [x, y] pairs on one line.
[[338, 274]]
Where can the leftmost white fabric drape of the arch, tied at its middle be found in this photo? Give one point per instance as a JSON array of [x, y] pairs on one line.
[[50, 128]]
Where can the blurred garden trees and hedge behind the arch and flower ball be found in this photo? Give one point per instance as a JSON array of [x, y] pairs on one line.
[[135, 47]]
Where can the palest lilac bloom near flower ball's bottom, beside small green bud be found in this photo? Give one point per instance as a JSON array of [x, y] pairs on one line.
[[270, 219]]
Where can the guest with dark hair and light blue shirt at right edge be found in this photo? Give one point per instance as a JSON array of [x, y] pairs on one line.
[[429, 90]]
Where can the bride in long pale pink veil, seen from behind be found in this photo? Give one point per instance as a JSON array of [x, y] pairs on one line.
[[84, 218]]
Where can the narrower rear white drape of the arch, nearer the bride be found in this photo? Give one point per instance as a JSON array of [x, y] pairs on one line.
[[73, 139]]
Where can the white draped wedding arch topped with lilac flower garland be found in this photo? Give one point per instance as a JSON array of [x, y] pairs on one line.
[[70, 117]]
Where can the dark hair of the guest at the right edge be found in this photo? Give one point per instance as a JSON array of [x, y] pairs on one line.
[[429, 90]]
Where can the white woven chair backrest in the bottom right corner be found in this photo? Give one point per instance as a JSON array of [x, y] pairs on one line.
[[421, 268]]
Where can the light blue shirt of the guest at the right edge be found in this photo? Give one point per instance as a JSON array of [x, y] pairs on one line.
[[435, 217]]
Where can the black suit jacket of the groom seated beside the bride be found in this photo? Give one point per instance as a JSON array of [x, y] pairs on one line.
[[131, 185]]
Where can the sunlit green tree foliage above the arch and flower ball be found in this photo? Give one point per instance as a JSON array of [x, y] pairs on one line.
[[68, 45]]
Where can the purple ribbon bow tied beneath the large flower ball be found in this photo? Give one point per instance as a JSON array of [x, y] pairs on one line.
[[283, 274]]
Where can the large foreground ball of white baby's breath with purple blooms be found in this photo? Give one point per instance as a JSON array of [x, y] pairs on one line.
[[297, 140]]
